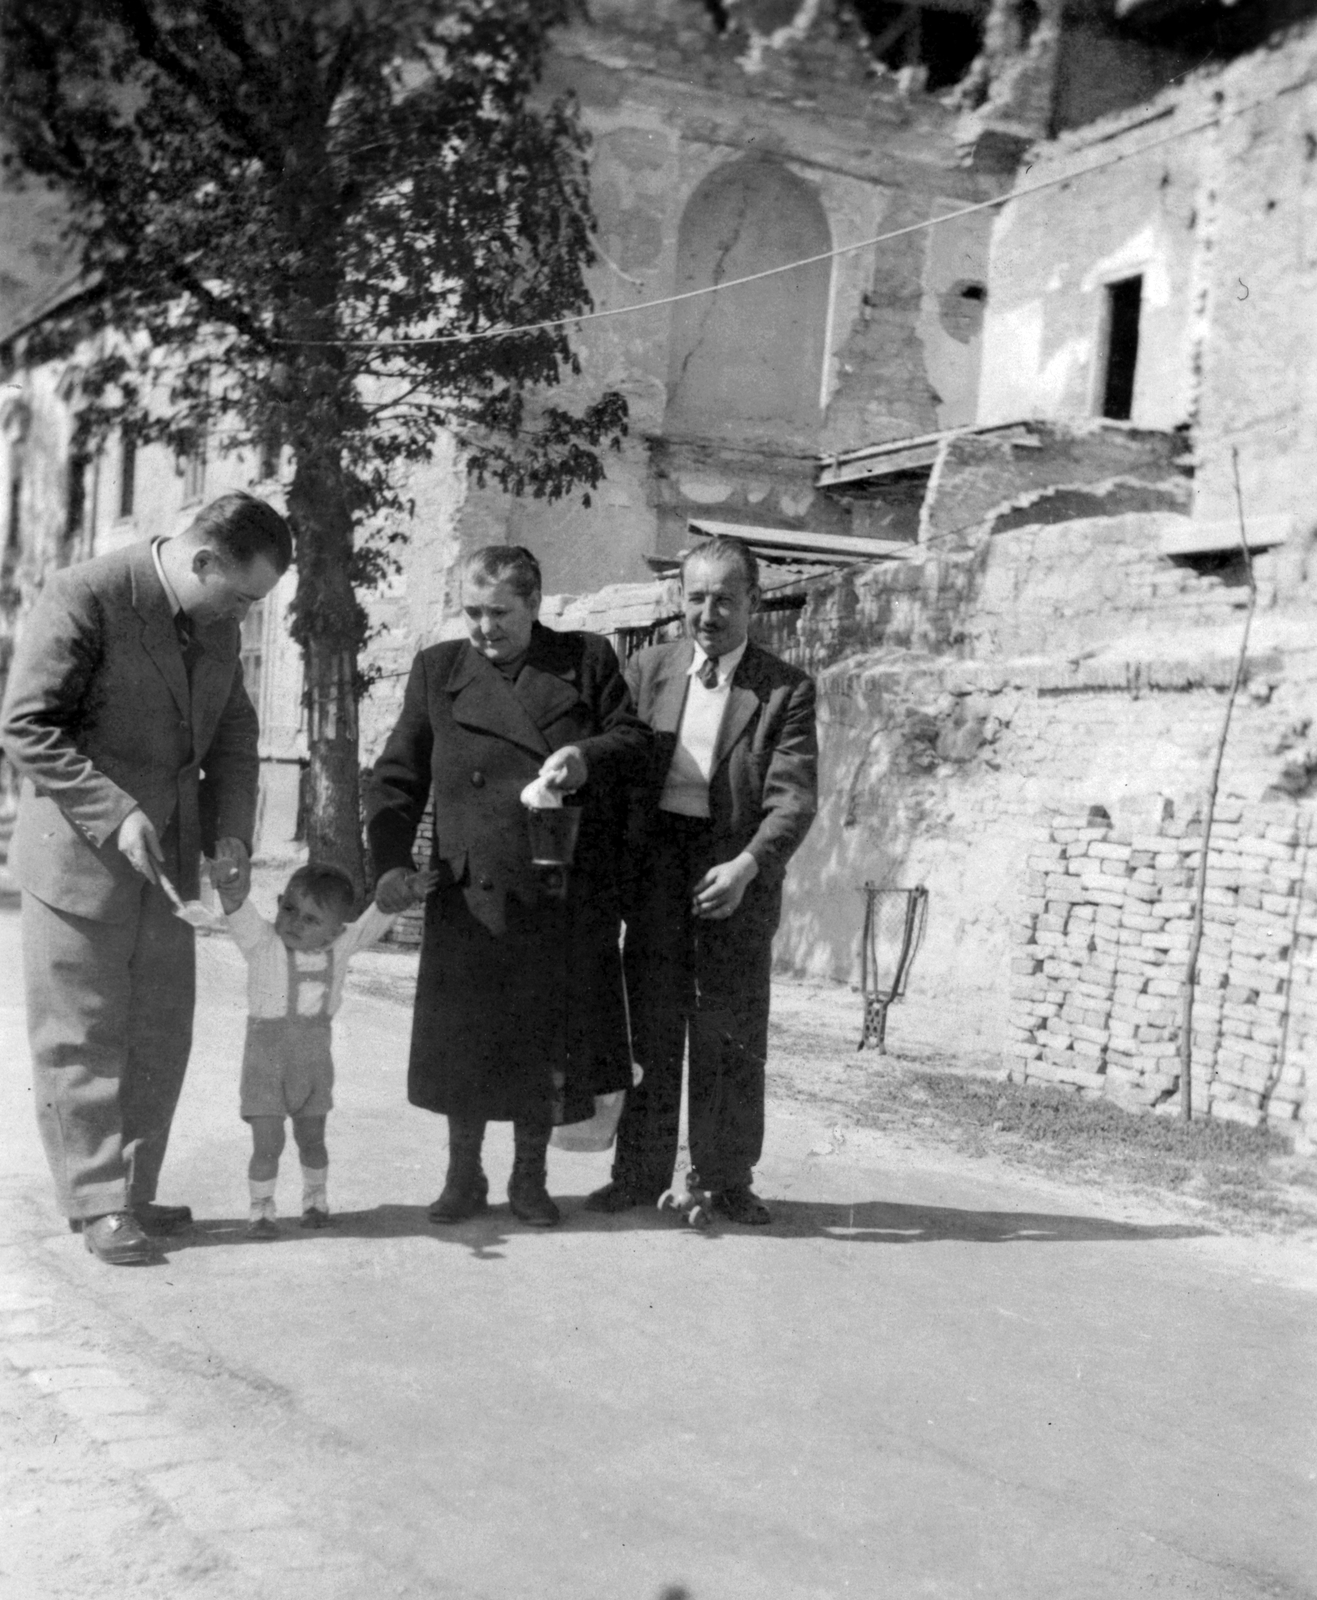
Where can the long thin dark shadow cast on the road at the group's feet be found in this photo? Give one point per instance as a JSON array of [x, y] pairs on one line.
[[867, 1223]]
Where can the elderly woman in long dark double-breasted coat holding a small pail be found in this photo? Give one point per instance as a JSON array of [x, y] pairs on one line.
[[519, 999]]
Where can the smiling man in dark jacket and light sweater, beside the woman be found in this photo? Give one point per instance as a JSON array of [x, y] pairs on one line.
[[732, 793]]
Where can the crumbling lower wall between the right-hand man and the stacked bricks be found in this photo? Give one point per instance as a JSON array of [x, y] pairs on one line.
[[983, 684]]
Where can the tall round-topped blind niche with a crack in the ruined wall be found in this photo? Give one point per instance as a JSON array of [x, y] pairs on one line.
[[748, 362]]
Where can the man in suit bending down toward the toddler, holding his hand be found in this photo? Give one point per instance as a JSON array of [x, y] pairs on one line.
[[130, 727]]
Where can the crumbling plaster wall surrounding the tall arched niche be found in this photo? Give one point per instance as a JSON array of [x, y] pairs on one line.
[[670, 103]]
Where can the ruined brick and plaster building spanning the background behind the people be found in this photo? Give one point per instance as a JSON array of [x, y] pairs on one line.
[[991, 463]]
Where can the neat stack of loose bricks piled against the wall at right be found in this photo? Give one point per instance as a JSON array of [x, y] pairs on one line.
[[1100, 964]]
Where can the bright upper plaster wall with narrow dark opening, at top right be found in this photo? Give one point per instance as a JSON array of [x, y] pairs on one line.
[[1223, 230]]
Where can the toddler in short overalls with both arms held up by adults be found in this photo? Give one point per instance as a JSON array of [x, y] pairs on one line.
[[295, 972]]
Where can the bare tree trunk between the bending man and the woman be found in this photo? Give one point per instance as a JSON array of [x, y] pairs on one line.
[[329, 625]]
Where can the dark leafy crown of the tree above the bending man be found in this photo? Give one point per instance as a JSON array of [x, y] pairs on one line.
[[292, 217]]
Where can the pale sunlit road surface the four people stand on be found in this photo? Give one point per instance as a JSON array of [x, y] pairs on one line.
[[919, 1383]]
